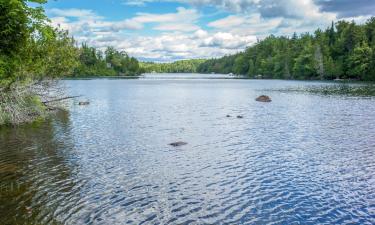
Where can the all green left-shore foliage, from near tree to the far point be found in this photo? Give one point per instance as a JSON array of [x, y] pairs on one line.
[[30, 49]]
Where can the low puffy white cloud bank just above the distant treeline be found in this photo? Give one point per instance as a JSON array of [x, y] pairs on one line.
[[174, 46]]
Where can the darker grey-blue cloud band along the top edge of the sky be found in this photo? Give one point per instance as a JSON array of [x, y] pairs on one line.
[[281, 8]]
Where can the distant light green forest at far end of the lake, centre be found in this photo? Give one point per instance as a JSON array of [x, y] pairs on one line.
[[183, 66]]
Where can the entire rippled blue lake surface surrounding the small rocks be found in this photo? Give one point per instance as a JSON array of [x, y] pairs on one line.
[[308, 157]]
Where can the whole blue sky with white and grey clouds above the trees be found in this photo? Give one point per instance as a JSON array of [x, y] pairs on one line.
[[170, 30]]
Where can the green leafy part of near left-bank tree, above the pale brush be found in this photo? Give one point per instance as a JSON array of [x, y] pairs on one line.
[[30, 49]]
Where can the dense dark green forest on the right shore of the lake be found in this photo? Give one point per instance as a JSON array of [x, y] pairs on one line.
[[345, 50]]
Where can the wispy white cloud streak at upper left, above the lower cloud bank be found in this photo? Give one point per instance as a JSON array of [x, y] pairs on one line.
[[79, 21]]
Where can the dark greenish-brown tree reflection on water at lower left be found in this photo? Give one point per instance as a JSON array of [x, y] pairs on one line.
[[35, 172]]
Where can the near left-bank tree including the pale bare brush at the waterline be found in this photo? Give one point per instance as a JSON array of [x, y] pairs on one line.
[[32, 54]]
